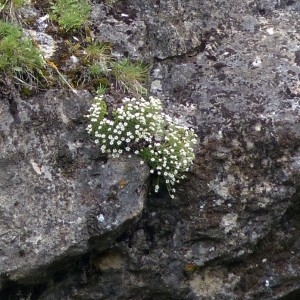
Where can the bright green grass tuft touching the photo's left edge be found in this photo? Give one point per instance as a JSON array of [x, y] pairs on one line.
[[18, 54]]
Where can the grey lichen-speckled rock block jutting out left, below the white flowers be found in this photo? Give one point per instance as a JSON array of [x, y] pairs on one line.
[[55, 193]]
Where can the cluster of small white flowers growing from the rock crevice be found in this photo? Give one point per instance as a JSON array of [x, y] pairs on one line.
[[139, 126]]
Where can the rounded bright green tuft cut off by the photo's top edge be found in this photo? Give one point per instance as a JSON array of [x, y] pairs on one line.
[[70, 14]]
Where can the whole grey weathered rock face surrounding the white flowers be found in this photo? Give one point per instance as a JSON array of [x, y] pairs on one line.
[[71, 229]]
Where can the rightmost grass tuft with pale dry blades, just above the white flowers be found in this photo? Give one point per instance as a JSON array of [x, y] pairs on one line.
[[131, 76]]
